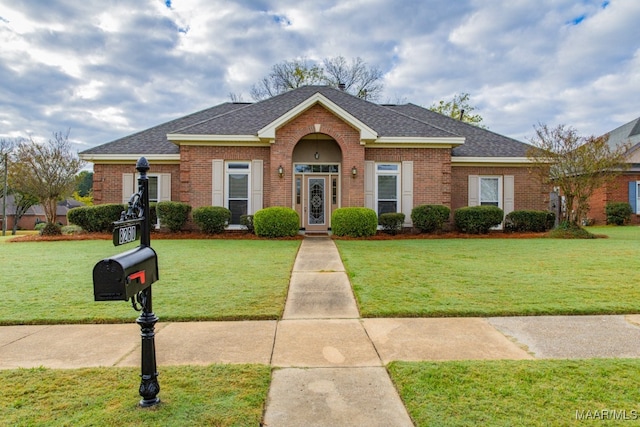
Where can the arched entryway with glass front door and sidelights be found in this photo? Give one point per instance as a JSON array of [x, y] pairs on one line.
[[317, 162]]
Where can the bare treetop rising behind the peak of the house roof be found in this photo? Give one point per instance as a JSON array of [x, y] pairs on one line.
[[357, 77]]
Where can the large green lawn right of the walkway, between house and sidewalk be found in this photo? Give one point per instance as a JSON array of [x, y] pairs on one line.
[[496, 277]]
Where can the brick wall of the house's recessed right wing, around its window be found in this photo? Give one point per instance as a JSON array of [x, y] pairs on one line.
[[529, 193]]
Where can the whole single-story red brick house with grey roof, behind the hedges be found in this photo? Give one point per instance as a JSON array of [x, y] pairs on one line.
[[316, 149]]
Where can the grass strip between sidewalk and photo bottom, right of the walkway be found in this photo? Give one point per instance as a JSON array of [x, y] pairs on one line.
[[519, 393]]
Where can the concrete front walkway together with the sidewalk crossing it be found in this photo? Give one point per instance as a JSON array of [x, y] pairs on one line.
[[330, 363]]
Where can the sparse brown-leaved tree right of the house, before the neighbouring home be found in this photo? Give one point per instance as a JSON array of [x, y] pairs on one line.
[[576, 165]]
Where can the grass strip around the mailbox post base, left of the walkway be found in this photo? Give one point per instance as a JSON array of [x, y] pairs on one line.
[[217, 395]]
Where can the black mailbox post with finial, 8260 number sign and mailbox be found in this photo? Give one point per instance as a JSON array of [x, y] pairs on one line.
[[129, 275]]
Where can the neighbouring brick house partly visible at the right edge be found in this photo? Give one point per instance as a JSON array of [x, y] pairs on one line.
[[627, 186]]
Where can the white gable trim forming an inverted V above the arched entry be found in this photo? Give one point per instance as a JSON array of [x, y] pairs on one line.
[[269, 131]]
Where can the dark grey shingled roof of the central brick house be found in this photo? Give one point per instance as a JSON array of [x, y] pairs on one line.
[[407, 120]]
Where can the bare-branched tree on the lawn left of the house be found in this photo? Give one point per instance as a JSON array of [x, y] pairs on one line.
[[46, 171]]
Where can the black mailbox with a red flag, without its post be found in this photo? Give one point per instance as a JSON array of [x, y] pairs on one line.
[[124, 275]]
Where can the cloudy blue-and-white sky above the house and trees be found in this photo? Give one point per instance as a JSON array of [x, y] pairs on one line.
[[108, 68]]
